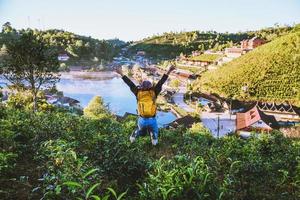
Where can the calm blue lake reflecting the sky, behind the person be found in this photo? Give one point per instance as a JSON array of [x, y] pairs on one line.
[[83, 86]]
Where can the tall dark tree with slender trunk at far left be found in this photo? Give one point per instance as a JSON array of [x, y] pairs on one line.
[[30, 63]]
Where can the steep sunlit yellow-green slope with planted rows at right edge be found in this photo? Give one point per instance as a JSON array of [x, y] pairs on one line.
[[270, 72]]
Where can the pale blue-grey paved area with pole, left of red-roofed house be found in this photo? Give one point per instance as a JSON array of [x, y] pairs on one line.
[[226, 125]]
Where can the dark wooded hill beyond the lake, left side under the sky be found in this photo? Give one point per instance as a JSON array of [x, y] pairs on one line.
[[82, 50]]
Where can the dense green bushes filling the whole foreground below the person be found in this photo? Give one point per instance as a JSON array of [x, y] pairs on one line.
[[57, 155]]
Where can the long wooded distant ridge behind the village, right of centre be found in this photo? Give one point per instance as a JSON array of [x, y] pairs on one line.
[[170, 45]]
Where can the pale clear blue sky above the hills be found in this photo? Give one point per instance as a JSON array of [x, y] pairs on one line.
[[137, 19]]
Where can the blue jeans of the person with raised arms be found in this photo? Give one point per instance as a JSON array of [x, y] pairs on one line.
[[150, 123]]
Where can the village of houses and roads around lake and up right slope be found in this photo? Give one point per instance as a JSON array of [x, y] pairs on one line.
[[222, 116]]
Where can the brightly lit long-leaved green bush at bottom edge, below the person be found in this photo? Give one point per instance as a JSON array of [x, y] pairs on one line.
[[178, 179]]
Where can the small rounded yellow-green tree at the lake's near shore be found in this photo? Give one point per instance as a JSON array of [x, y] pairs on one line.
[[96, 108]]
